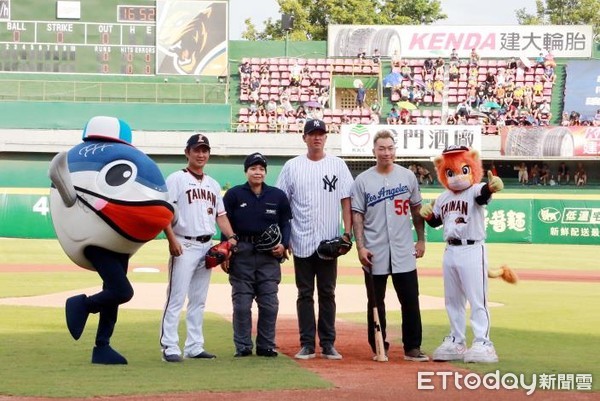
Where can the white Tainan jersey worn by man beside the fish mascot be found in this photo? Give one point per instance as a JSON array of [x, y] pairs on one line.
[[198, 203]]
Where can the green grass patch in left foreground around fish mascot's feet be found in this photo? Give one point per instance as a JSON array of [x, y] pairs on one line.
[[40, 359]]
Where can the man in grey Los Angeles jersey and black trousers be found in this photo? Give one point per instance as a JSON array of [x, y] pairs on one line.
[[384, 198]]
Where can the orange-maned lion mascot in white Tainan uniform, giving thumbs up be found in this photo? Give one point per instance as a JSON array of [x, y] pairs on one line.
[[461, 211]]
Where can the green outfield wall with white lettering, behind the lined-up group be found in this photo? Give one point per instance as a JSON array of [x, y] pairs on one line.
[[25, 213]]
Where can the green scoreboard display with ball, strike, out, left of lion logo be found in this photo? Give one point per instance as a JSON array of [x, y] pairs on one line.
[[125, 45]]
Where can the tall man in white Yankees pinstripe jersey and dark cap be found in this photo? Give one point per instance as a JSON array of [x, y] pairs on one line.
[[318, 186]]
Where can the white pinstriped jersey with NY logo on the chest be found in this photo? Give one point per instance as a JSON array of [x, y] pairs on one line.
[[315, 189]]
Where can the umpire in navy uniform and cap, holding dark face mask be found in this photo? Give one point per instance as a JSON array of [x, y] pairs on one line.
[[255, 274]]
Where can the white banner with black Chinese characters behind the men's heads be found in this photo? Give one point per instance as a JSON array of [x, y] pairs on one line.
[[411, 140]]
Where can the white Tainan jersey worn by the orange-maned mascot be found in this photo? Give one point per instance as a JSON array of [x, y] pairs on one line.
[[462, 216]]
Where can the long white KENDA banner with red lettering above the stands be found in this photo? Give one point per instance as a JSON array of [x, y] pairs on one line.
[[572, 41]]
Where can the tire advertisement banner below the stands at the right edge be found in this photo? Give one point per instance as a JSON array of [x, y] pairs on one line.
[[538, 142]]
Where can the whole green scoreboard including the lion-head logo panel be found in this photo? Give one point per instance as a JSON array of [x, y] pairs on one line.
[[141, 37]]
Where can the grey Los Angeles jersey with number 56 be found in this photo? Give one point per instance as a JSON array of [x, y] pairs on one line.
[[385, 201]]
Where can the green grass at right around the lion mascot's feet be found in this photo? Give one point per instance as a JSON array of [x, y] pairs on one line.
[[543, 327]]
